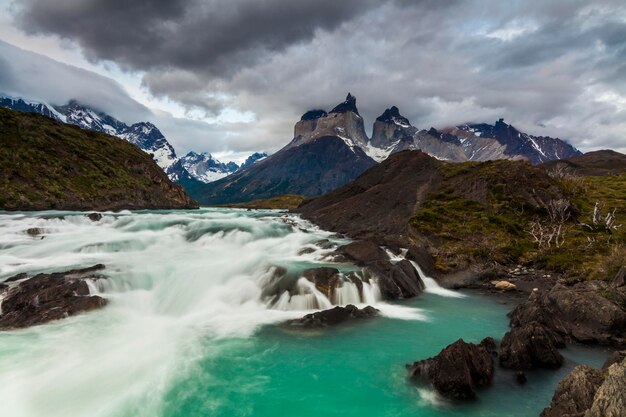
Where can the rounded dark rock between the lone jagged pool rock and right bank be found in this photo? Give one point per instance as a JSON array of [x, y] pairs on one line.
[[530, 346]]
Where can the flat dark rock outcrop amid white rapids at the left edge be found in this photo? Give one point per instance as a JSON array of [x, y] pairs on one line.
[[47, 297]]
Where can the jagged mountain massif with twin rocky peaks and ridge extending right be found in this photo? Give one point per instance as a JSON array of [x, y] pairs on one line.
[[331, 148]]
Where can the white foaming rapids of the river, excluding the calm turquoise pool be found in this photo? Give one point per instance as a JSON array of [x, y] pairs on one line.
[[174, 281]]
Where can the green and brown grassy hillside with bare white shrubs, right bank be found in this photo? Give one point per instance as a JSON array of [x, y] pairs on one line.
[[487, 213]]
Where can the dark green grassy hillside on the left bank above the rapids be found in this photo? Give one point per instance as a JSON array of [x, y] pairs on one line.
[[45, 164]]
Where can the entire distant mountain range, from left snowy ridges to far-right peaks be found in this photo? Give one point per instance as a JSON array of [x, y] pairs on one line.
[[329, 149]]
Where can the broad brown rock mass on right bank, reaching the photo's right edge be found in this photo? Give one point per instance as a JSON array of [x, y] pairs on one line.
[[588, 312]]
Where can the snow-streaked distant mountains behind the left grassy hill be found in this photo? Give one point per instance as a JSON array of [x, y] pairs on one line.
[[193, 166]]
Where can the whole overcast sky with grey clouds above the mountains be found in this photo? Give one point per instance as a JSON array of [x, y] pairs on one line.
[[232, 77]]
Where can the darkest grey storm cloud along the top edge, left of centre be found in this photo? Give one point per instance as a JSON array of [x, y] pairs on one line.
[[214, 36]]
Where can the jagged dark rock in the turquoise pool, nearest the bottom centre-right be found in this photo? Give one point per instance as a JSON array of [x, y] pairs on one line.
[[458, 370]]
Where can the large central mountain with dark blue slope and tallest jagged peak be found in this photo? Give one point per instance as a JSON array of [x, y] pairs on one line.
[[325, 153]]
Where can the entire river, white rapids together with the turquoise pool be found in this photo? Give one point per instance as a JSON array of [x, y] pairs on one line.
[[191, 329]]
